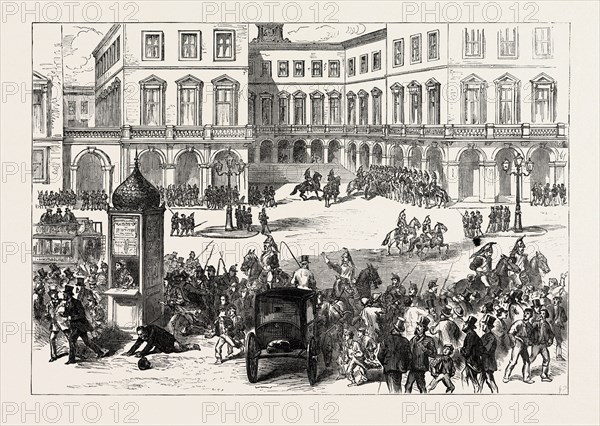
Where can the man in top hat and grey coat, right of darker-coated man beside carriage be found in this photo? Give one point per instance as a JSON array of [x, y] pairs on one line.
[[422, 348]]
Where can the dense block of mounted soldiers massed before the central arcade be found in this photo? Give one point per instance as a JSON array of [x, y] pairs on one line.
[[409, 186]]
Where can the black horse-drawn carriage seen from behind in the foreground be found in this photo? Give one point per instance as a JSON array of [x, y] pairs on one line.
[[285, 327]]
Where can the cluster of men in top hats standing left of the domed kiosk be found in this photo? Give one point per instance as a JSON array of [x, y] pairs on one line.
[[72, 305]]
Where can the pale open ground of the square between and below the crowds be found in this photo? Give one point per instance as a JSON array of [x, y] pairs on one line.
[[310, 228]]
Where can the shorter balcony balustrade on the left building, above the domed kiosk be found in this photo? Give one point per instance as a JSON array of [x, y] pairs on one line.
[[166, 133]]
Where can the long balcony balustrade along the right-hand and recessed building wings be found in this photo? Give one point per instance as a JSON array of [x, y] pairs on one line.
[[433, 131]]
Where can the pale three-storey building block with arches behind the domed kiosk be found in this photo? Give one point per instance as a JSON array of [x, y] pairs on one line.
[[172, 94]]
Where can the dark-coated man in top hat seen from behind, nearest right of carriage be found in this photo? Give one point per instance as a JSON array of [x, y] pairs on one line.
[[394, 355]]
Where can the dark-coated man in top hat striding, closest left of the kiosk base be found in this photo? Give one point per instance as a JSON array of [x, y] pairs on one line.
[[79, 326]]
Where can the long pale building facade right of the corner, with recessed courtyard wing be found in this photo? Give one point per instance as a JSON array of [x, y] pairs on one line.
[[456, 99]]
